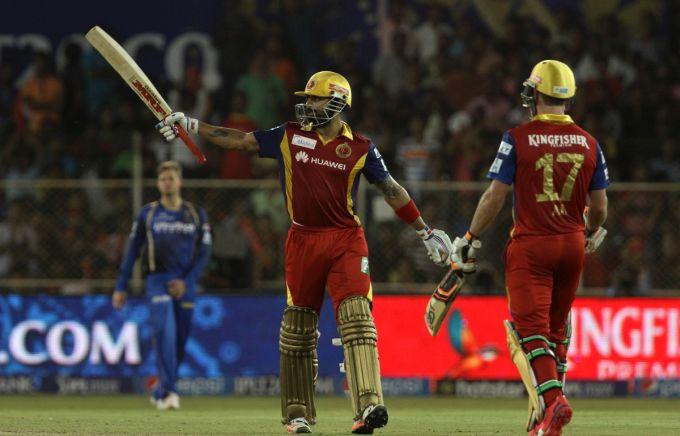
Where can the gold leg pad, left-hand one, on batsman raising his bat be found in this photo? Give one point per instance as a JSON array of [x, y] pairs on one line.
[[297, 345]]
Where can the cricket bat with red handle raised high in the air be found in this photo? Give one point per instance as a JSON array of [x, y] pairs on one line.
[[128, 69]]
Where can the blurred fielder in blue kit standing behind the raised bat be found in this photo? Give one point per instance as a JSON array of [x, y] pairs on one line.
[[173, 237]]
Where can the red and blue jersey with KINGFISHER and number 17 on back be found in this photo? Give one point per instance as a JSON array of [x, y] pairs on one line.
[[553, 165]]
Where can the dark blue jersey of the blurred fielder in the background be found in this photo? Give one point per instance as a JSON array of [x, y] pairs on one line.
[[174, 242]]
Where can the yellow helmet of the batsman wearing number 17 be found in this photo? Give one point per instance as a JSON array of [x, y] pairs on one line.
[[549, 77]]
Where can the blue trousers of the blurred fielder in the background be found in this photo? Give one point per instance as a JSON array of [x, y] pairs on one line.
[[171, 324]]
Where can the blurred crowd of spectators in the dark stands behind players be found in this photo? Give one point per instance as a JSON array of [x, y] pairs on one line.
[[436, 98]]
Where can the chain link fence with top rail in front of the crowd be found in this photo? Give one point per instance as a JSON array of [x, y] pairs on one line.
[[68, 236]]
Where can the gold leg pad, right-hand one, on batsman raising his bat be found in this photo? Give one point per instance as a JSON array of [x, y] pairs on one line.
[[360, 345]]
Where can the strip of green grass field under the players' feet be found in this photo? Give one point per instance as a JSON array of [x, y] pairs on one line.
[[44, 414]]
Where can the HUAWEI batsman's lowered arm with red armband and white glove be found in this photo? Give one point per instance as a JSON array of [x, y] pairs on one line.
[[436, 241]]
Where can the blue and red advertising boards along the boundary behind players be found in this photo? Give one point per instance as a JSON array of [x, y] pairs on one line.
[[80, 344]]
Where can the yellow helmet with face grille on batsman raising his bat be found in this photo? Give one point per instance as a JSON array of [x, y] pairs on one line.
[[325, 84]]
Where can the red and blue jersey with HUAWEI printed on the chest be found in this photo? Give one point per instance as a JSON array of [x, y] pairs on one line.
[[320, 178]]
